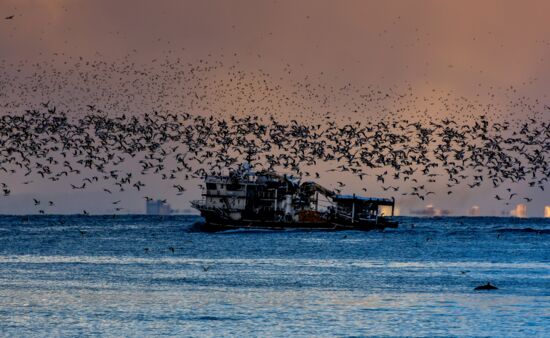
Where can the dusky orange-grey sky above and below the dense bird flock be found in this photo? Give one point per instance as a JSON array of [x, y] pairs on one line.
[[495, 52]]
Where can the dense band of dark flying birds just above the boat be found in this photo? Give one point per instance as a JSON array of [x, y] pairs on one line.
[[392, 152]]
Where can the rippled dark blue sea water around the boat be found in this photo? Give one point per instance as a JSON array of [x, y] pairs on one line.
[[150, 276]]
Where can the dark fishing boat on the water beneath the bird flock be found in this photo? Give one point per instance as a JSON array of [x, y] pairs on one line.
[[268, 200]]
